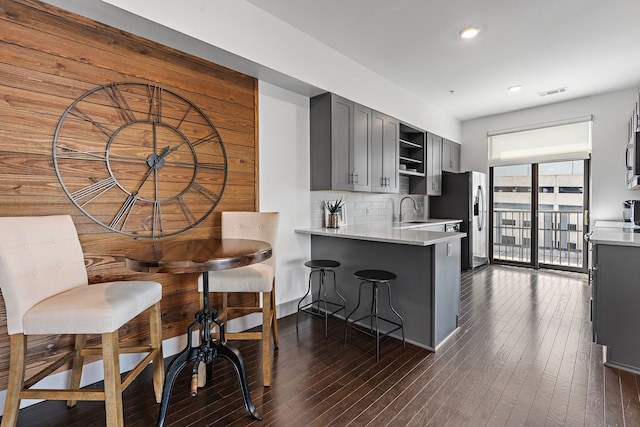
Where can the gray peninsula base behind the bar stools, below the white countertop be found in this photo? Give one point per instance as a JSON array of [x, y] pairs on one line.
[[426, 292]]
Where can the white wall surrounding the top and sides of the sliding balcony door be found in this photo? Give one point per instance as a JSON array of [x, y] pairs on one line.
[[611, 113]]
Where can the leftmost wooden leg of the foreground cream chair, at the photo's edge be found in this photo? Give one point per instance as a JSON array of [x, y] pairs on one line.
[[16, 379]]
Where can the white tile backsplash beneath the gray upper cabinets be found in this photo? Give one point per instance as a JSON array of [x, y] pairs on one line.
[[365, 208]]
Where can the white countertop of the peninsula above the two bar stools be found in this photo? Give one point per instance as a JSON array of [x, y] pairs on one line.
[[389, 233]]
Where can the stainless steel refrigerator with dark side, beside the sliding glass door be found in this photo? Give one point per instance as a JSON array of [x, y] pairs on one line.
[[464, 196]]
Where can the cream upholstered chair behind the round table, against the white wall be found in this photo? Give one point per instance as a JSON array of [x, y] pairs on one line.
[[258, 278]]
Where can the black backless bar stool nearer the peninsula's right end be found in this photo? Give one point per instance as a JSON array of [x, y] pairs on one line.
[[375, 277]]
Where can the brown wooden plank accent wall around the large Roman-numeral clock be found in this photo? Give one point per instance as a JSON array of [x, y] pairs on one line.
[[48, 58]]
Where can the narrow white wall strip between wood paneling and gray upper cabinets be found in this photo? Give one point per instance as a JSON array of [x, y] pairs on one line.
[[285, 185]]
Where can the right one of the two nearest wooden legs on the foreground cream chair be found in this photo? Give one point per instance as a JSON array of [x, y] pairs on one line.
[[112, 382]]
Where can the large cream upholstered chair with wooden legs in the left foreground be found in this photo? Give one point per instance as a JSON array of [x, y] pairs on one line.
[[46, 292]]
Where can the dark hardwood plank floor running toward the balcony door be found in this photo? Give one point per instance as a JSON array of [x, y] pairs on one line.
[[522, 356]]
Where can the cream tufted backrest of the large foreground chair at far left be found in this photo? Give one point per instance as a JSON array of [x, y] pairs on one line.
[[39, 257]]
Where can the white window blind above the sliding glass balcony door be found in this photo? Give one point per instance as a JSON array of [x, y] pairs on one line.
[[557, 141]]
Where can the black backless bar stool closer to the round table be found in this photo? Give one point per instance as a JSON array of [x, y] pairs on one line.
[[321, 267]]
